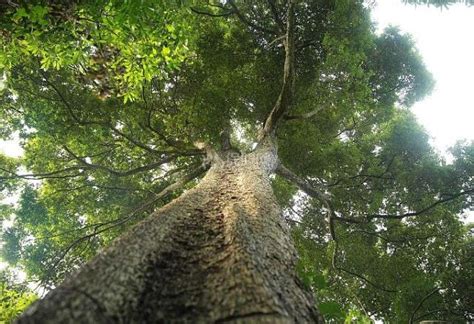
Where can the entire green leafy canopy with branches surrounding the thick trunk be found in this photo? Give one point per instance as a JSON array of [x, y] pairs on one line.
[[110, 98]]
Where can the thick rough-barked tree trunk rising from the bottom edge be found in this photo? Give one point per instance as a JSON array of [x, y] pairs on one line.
[[221, 252]]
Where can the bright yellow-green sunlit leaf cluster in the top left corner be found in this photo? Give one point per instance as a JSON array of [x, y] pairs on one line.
[[94, 38]]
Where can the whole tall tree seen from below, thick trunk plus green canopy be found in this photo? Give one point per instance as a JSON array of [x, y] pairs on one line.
[[155, 131]]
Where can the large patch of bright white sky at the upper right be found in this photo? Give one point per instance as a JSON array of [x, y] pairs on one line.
[[445, 39]]
